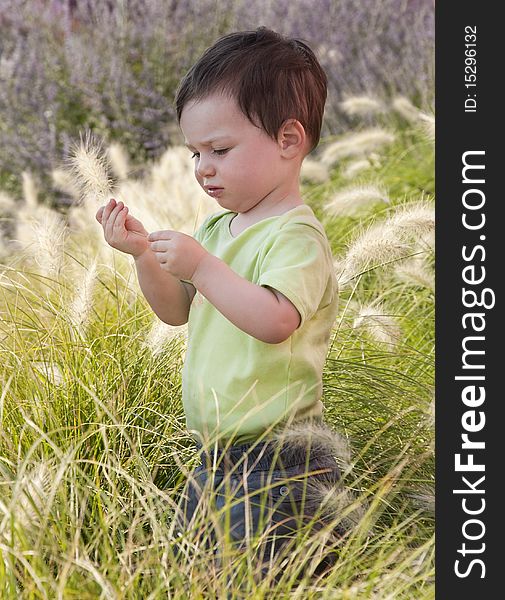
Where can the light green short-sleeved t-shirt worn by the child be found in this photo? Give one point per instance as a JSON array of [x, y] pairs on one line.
[[235, 386]]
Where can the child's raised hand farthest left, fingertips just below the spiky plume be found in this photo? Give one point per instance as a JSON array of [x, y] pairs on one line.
[[121, 230]]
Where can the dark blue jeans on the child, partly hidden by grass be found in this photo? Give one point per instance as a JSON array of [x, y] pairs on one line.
[[271, 492]]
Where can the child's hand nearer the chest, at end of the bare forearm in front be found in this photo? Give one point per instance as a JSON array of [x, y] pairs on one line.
[[177, 253]]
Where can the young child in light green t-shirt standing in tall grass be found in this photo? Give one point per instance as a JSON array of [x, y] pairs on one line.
[[255, 283]]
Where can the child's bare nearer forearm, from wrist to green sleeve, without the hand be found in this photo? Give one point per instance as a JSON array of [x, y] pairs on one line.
[[261, 312]]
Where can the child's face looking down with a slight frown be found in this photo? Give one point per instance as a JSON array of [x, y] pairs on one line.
[[242, 159]]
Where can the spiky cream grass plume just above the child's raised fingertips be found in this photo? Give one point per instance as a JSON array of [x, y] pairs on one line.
[[90, 169]]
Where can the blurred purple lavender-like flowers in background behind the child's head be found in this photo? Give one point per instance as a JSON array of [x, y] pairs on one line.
[[114, 67]]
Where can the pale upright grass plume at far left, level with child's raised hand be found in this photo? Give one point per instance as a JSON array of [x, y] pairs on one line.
[[49, 236]]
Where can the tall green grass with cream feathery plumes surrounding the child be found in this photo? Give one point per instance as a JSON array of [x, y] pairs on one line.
[[94, 452]]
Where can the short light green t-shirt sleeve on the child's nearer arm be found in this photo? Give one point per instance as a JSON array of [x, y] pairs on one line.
[[295, 263]]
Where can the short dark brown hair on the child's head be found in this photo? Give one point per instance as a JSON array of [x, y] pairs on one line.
[[272, 78]]
